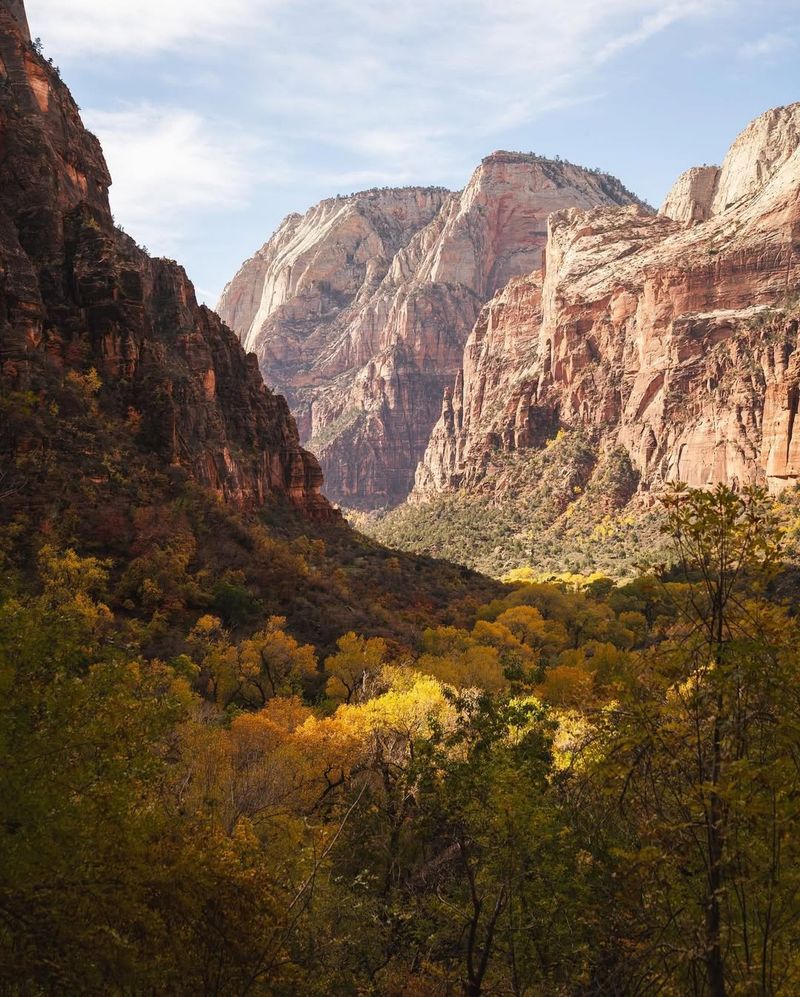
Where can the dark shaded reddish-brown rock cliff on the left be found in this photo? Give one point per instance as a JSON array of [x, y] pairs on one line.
[[76, 294]]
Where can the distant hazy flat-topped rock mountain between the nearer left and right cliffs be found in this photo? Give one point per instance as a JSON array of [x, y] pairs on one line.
[[359, 310]]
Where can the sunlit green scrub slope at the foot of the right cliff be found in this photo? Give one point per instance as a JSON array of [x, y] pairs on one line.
[[563, 508]]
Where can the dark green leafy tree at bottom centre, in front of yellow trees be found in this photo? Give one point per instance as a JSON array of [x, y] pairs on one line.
[[504, 882]]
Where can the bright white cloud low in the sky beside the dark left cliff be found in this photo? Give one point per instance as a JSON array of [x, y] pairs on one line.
[[167, 164]]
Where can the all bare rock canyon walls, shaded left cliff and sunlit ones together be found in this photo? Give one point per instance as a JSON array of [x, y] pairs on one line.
[[428, 343]]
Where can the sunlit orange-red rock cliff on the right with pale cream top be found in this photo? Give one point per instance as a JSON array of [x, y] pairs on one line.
[[672, 337]]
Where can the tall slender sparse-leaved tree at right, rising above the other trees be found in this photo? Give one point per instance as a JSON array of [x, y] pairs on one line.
[[704, 762]]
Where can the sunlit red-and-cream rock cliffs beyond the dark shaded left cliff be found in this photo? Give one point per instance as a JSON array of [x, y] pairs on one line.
[[425, 339]]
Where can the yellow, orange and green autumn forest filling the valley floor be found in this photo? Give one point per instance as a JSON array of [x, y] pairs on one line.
[[560, 790]]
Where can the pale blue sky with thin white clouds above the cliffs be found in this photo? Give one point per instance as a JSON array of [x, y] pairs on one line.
[[220, 118]]
